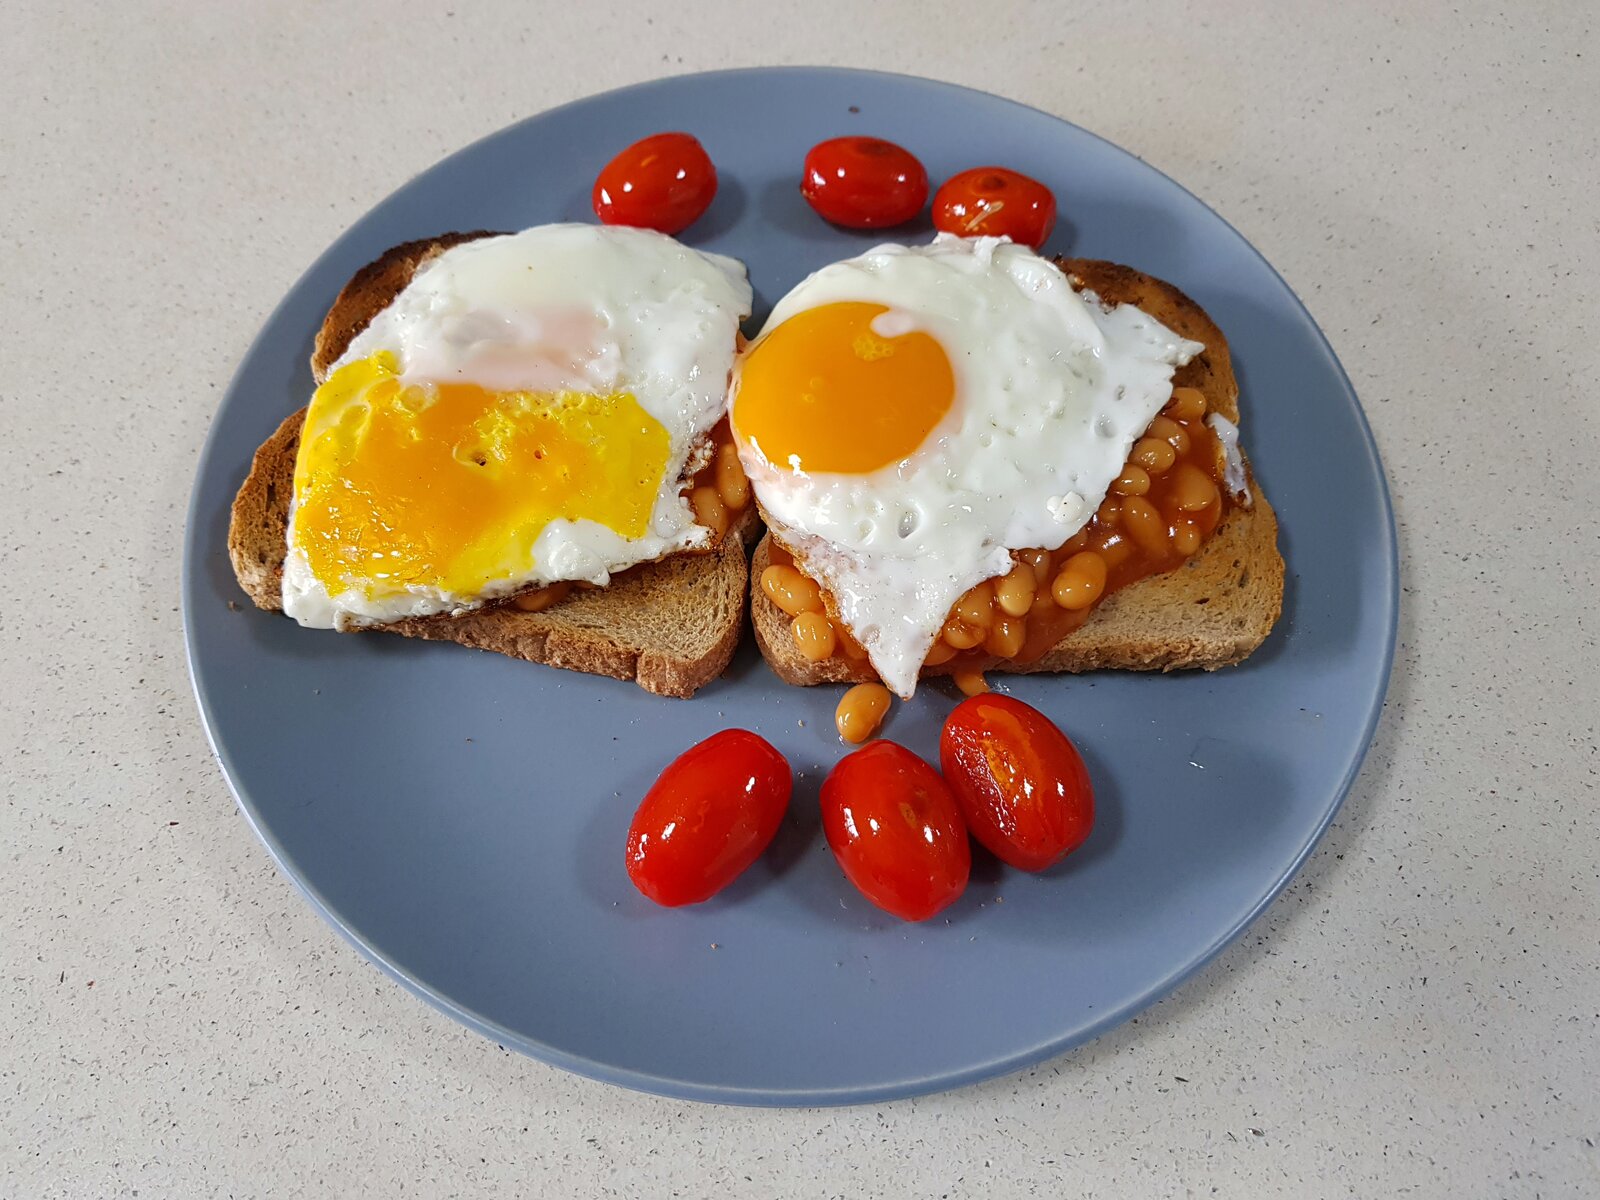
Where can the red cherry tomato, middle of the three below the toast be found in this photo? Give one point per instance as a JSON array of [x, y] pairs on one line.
[[897, 831]]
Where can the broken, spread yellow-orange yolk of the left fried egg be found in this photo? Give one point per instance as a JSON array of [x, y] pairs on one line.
[[450, 486]]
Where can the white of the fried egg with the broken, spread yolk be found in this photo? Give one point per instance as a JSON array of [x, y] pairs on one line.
[[594, 310]]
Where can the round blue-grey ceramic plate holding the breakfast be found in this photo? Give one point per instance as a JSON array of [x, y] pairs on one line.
[[460, 817]]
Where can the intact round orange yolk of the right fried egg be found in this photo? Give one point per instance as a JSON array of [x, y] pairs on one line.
[[826, 393]]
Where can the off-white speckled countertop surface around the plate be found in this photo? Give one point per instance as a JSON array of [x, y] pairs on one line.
[[1420, 1015]]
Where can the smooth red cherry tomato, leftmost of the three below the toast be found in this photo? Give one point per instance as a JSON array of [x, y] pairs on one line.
[[708, 818]]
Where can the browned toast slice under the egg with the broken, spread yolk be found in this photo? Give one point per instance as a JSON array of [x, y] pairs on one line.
[[670, 626]]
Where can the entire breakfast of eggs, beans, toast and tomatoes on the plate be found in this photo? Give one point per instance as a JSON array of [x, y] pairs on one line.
[[967, 457]]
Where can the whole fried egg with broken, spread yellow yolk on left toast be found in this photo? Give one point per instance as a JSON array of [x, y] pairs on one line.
[[522, 414]]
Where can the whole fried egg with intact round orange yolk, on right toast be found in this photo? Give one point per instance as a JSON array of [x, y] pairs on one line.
[[913, 415]]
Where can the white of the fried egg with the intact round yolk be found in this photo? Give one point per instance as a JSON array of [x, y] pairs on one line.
[[1052, 390]]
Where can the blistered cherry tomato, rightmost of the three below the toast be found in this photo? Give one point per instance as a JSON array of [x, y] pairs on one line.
[[1022, 785]]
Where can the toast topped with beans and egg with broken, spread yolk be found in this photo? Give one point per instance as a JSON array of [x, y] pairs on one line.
[[518, 444]]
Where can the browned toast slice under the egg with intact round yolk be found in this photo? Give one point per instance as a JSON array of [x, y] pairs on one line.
[[1209, 614]]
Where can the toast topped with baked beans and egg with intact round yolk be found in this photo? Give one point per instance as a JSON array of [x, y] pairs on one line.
[[970, 457]]
